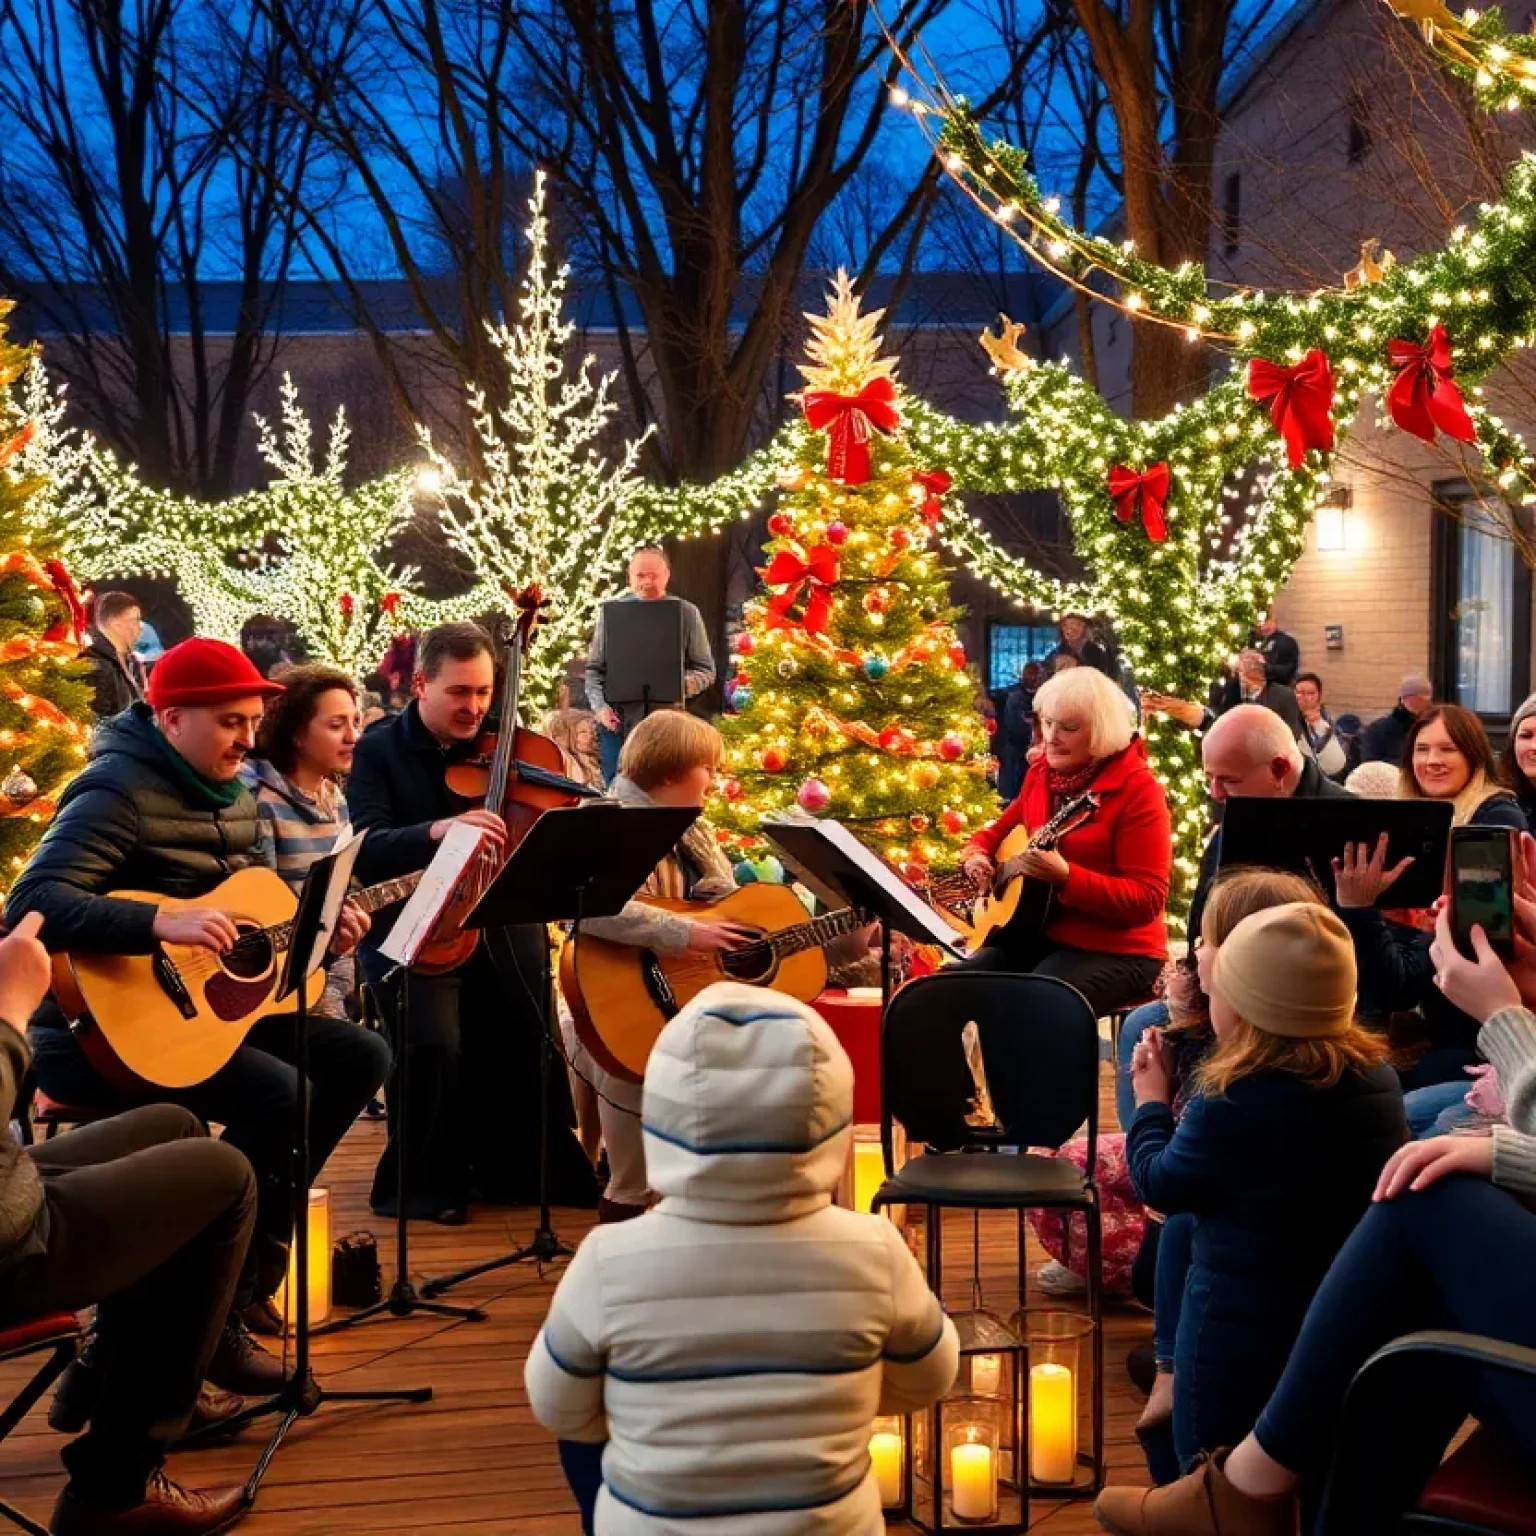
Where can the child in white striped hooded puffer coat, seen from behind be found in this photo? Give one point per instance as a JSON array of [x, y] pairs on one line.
[[732, 1346]]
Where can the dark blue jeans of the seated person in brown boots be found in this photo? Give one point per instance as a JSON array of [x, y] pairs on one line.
[[1457, 1256]]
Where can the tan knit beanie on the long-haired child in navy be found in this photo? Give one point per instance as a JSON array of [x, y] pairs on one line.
[[1289, 972]]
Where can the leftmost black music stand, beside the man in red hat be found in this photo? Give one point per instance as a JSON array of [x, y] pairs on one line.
[[314, 922]]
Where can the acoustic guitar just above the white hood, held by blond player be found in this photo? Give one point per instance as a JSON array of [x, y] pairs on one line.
[[621, 996]]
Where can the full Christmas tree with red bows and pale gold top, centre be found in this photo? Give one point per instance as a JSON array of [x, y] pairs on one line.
[[852, 694]]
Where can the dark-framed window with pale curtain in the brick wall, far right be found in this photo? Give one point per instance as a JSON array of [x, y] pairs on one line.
[[1483, 607]]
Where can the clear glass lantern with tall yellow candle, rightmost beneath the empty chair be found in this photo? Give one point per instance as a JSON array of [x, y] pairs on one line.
[[1062, 1403]]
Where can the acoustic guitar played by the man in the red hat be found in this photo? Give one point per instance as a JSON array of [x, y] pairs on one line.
[[174, 1018]]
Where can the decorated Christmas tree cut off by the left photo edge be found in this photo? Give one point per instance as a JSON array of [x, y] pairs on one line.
[[45, 706]]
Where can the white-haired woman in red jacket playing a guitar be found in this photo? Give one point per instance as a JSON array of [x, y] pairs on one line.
[[1105, 932]]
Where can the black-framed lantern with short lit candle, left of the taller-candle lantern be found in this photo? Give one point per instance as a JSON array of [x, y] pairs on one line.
[[968, 1471]]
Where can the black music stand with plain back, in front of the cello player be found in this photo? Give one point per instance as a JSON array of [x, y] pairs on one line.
[[575, 864]]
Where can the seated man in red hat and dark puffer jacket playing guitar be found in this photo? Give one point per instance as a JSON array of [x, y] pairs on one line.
[[161, 809]]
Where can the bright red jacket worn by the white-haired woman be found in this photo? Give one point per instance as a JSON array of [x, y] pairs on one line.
[[1119, 861]]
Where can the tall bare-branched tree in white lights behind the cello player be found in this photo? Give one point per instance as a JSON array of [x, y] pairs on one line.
[[548, 508]]
